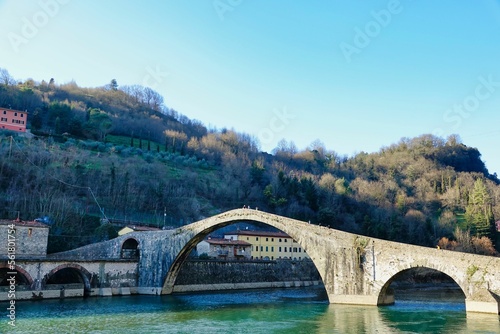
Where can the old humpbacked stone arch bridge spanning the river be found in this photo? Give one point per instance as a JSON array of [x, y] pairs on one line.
[[355, 269]]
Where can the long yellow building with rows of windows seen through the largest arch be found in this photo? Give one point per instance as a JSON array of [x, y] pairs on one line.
[[269, 245]]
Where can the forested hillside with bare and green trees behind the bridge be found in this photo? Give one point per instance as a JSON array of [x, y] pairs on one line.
[[118, 154]]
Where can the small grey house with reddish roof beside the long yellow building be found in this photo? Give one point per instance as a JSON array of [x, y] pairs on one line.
[[225, 249]]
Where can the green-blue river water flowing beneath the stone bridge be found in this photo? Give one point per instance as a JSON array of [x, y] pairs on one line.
[[297, 310]]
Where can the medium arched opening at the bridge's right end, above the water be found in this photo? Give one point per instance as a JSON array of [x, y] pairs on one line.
[[421, 285]]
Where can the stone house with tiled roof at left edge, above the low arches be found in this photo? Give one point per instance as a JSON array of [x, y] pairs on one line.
[[31, 237]]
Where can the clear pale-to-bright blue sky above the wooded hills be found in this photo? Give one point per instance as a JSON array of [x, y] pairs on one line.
[[357, 75]]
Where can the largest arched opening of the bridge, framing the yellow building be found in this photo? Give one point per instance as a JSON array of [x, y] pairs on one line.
[[241, 253]]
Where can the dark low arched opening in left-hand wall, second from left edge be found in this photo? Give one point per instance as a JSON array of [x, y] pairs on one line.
[[67, 277]]
